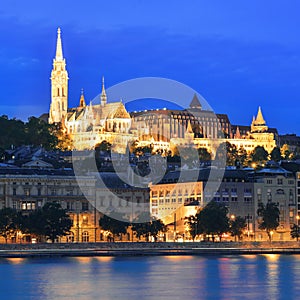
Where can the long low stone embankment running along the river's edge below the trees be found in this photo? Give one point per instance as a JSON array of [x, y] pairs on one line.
[[146, 249]]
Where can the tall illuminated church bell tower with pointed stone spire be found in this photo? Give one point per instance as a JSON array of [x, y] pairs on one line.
[[59, 85]]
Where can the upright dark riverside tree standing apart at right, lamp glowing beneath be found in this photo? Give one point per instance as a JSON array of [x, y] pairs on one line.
[[269, 214]]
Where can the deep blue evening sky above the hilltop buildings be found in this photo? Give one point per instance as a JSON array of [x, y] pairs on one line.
[[236, 54]]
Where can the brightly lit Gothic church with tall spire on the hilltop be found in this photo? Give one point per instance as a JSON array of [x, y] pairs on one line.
[[88, 125]]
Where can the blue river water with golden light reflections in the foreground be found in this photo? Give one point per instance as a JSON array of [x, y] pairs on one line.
[[268, 276]]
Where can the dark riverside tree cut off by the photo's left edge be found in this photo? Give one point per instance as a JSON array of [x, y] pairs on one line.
[[8, 222]]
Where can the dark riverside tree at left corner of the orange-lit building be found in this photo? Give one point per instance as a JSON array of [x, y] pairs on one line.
[[146, 226]]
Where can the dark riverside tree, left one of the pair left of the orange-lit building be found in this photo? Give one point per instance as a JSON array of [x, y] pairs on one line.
[[114, 224]]
